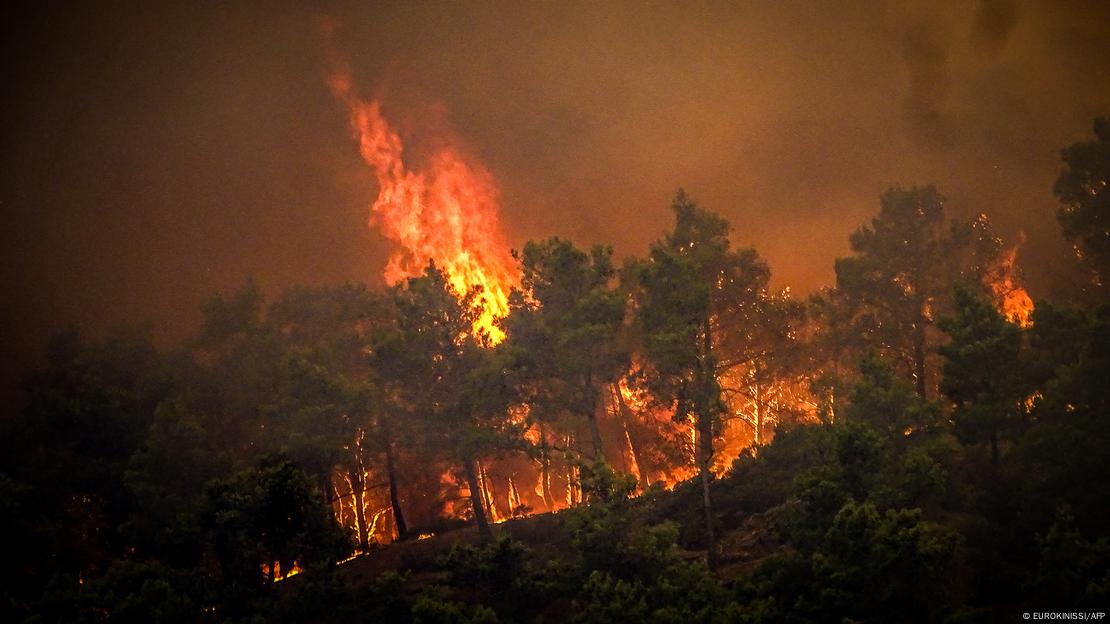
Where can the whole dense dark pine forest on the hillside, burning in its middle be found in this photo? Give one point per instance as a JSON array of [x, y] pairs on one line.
[[665, 439]]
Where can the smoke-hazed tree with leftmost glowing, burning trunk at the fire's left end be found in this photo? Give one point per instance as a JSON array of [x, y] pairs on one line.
[[328, 408]]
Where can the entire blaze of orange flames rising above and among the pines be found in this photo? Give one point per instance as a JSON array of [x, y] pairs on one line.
[[447, 213]]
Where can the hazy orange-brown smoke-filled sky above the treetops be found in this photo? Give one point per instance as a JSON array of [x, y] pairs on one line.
[[155, 156]]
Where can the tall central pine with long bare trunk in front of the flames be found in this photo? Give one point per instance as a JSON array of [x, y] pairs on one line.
[[688, 294]]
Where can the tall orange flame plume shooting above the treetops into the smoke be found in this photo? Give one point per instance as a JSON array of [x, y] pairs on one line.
[[448, 213]]
